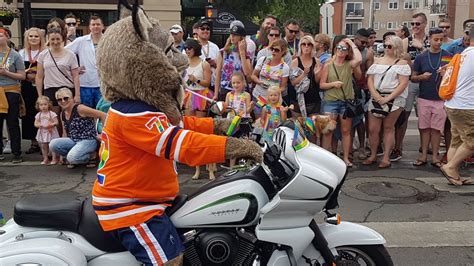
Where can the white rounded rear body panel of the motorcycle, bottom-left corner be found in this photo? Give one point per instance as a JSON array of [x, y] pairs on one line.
[[41, 251]]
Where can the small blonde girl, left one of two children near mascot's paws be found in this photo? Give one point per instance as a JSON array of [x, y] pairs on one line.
[[238, 101]]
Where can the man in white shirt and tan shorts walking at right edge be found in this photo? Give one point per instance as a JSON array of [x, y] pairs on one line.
[[460, 111]]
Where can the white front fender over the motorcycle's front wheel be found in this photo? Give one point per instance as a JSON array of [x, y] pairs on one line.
[[347, 233]]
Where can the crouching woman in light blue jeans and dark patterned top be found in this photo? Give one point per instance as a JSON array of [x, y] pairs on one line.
[[79, 133]]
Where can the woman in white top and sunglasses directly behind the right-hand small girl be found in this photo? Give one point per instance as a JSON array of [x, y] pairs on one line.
[[271, 71]]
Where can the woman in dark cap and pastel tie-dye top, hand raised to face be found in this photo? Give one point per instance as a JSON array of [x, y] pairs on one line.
[[232, 58]]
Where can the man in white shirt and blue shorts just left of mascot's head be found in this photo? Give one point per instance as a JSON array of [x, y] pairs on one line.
[[85, 47]]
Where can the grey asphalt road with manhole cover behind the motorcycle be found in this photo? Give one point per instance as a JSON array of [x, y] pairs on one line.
[[424, 220]]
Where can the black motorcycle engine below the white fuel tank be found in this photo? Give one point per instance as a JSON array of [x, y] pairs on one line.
[[218, 247]]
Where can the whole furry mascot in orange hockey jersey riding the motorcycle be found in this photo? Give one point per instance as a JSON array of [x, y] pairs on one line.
[[144, 135]]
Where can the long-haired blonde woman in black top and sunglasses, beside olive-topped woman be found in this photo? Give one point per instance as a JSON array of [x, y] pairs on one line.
[[310, 67]]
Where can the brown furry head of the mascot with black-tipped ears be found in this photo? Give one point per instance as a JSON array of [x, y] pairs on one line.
[[142, 64]]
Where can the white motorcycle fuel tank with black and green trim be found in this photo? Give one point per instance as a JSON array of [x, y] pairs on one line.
[[234, 199]]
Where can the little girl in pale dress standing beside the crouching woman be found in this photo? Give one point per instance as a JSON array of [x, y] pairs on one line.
[[46, 122]]
